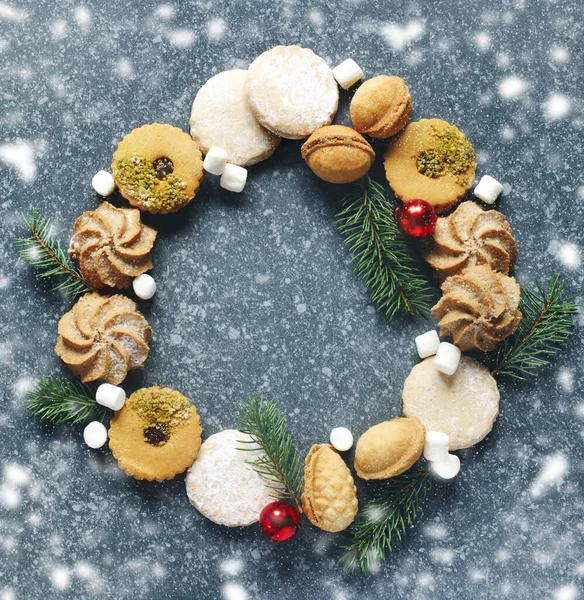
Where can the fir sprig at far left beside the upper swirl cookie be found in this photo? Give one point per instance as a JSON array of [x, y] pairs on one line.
[[45, 255]]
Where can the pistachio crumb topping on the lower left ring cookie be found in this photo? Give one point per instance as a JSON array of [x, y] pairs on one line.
[[163, 411]]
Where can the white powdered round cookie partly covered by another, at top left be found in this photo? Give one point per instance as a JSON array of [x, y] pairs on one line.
[[221, 116]]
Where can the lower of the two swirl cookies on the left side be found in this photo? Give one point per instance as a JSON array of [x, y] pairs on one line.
[[103, 337]]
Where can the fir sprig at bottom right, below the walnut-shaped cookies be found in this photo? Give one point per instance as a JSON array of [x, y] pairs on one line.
[[384, 520]]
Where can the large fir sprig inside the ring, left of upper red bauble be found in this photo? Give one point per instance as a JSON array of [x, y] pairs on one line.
[[381, 253]]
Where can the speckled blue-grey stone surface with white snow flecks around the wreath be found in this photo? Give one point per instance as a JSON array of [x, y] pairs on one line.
[[256, 293]]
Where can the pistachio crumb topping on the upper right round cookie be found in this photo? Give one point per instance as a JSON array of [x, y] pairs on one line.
[[452, 153]]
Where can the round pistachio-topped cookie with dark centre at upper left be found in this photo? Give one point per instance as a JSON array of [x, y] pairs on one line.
[[158, 168]]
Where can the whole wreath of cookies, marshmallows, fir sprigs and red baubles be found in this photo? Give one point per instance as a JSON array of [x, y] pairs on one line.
[[450, 400]]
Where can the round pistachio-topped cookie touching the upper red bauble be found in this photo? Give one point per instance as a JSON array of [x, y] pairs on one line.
[[430, 160]]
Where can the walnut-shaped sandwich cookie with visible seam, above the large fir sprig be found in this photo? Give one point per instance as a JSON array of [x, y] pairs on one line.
[[338, 154]]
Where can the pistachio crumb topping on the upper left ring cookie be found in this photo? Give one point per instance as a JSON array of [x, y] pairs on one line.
[[139, 179]]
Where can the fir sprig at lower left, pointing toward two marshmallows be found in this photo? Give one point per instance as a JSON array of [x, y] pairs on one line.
[[61, 400]]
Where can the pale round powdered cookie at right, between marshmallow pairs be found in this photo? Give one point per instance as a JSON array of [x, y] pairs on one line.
[[464, 405]]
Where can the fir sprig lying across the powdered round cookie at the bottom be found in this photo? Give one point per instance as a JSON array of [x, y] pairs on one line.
[[279, 464]]
